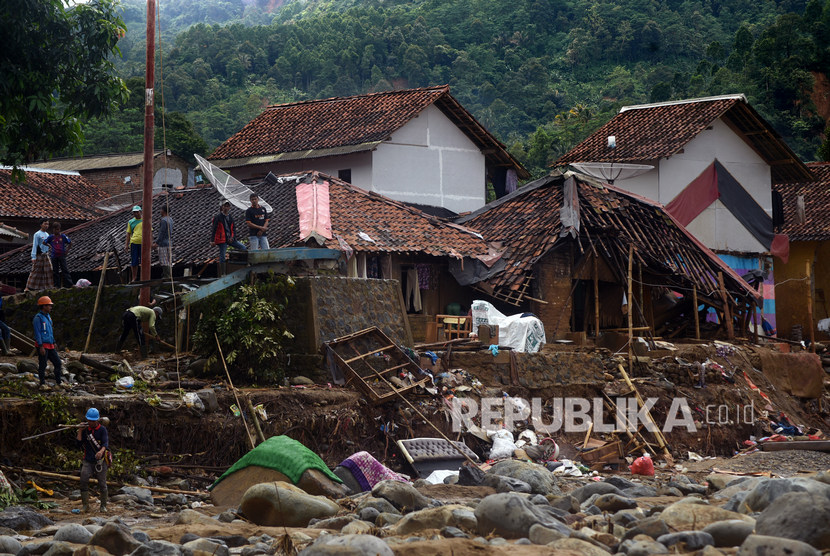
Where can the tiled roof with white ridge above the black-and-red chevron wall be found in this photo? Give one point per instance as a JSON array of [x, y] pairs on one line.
[[652, 131]]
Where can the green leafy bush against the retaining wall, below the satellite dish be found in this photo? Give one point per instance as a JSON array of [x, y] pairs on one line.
[[249, 322]]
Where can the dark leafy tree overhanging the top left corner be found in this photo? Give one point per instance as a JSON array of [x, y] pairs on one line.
[[55, 73]]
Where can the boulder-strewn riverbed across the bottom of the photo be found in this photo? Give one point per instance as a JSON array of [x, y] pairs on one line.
[[516, 507]]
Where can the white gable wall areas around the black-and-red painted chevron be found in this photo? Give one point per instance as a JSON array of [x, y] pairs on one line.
[[716, 227]]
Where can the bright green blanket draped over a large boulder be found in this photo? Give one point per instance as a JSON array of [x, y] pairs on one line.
[[282, 454]]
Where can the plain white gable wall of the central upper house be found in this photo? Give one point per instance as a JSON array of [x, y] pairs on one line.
[[430, 161]]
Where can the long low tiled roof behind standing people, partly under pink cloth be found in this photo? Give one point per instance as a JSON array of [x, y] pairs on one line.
[[394, 227]]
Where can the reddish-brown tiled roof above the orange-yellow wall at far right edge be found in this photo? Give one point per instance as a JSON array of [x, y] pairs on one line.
[[816, 193]]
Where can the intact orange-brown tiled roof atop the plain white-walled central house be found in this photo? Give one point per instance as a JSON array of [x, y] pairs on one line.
[[342, 125]]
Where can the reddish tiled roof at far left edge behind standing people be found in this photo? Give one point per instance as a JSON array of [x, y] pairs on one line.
[[49, 194]]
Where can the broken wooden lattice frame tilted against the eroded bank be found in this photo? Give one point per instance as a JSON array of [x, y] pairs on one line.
[[375, 365]]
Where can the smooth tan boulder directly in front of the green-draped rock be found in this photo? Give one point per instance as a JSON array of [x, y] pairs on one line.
[[283, 504]]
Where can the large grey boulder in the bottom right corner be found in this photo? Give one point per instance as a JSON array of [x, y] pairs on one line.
[[803, 516]]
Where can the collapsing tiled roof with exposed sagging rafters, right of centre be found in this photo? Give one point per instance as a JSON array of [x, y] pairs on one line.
[[528, 222]]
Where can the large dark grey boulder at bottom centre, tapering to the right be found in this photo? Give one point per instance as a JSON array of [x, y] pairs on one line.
[[511, 516]]
